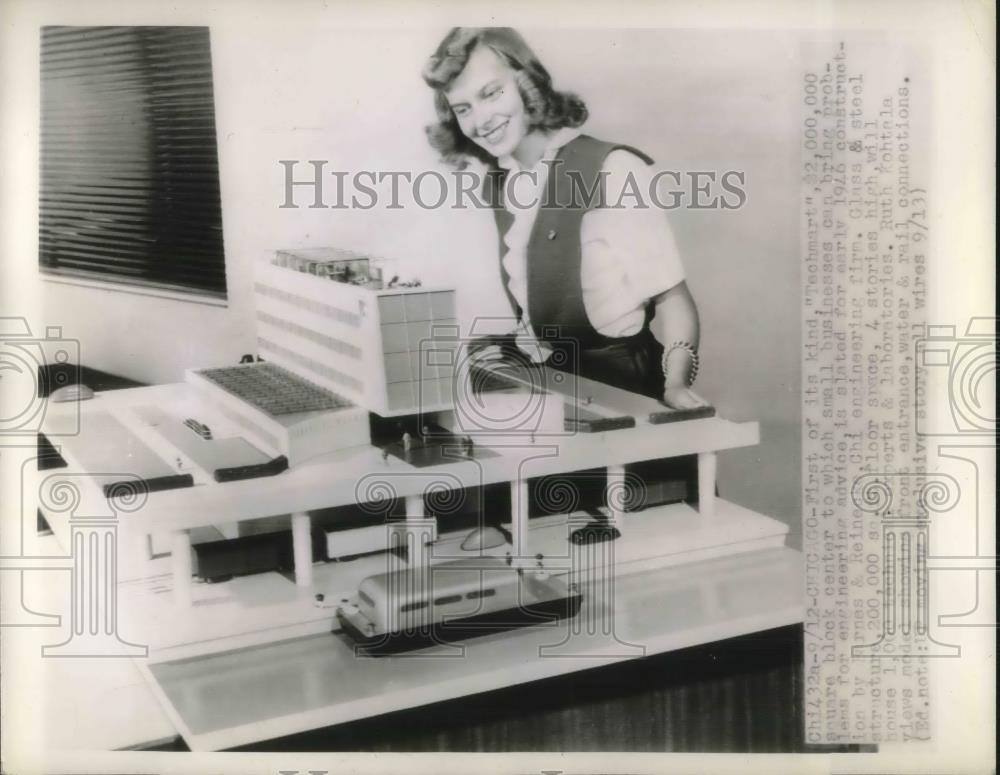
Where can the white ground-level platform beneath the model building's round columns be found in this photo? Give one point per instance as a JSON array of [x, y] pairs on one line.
[[265, 607]]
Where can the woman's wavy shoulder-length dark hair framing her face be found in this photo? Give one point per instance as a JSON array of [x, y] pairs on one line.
[[546, 107]]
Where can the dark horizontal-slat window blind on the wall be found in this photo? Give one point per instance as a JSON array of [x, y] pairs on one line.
[[129, 183]]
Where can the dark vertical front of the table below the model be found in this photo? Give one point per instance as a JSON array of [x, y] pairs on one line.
[[741, 695]]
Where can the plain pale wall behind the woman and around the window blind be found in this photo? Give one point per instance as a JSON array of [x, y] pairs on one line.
[[695, 100]]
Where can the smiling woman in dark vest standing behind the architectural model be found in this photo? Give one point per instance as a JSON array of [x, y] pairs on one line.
[[606, 278]]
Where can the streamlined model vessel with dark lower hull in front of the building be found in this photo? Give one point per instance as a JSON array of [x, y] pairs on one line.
[[415, 608]]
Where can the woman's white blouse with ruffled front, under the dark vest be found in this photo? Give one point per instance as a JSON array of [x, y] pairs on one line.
[[628, 255]]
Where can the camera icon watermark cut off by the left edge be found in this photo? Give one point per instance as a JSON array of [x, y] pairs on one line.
[[31, 367]]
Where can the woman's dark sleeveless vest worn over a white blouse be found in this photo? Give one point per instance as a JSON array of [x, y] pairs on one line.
[[554, 256]]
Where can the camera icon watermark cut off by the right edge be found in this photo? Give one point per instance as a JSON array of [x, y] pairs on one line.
[[958, 373]]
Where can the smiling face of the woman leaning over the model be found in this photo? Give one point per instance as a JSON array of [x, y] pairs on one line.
[[487, 103]]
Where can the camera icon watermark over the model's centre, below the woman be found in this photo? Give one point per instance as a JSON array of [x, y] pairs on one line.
[[503, 388]]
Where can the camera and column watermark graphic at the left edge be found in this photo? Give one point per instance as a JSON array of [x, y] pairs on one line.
[[88, 505]]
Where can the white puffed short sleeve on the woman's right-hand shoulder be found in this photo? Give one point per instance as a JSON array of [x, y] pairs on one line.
[[628, 253]]
